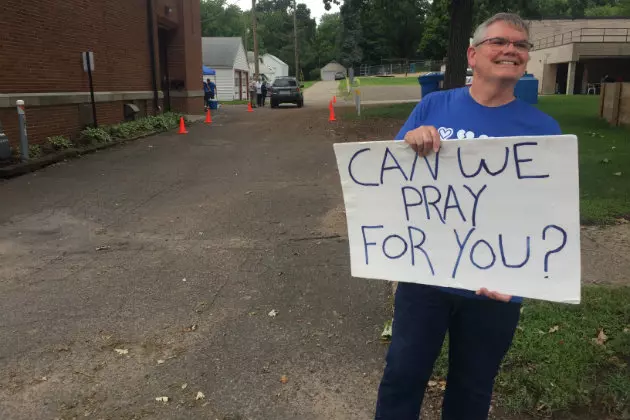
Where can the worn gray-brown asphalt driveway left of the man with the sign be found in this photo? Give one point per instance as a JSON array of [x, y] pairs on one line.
[[150, 270]]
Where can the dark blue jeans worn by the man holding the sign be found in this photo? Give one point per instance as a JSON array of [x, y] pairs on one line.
[[480, 334]]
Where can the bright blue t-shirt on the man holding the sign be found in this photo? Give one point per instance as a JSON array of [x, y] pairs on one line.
[[456, 115]]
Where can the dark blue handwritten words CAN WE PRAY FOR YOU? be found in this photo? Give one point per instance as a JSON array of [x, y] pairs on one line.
[[452, 203]]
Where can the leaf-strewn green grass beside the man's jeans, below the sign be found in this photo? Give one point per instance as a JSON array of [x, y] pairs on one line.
[[548, 372]]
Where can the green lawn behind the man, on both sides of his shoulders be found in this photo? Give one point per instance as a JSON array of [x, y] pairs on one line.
[[604, 197]]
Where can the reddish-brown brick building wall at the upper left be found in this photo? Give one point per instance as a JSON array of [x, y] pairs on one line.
[[41, 44]]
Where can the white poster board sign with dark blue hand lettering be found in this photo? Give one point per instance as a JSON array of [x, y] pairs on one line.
[[496, 213]]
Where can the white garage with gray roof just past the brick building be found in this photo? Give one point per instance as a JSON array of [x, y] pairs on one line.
[[226, 55]]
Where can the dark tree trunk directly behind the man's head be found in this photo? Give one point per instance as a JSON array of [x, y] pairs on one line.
[[459, 35]]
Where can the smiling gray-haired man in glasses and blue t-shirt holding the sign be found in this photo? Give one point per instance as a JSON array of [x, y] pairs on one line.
[[481, 325]]
